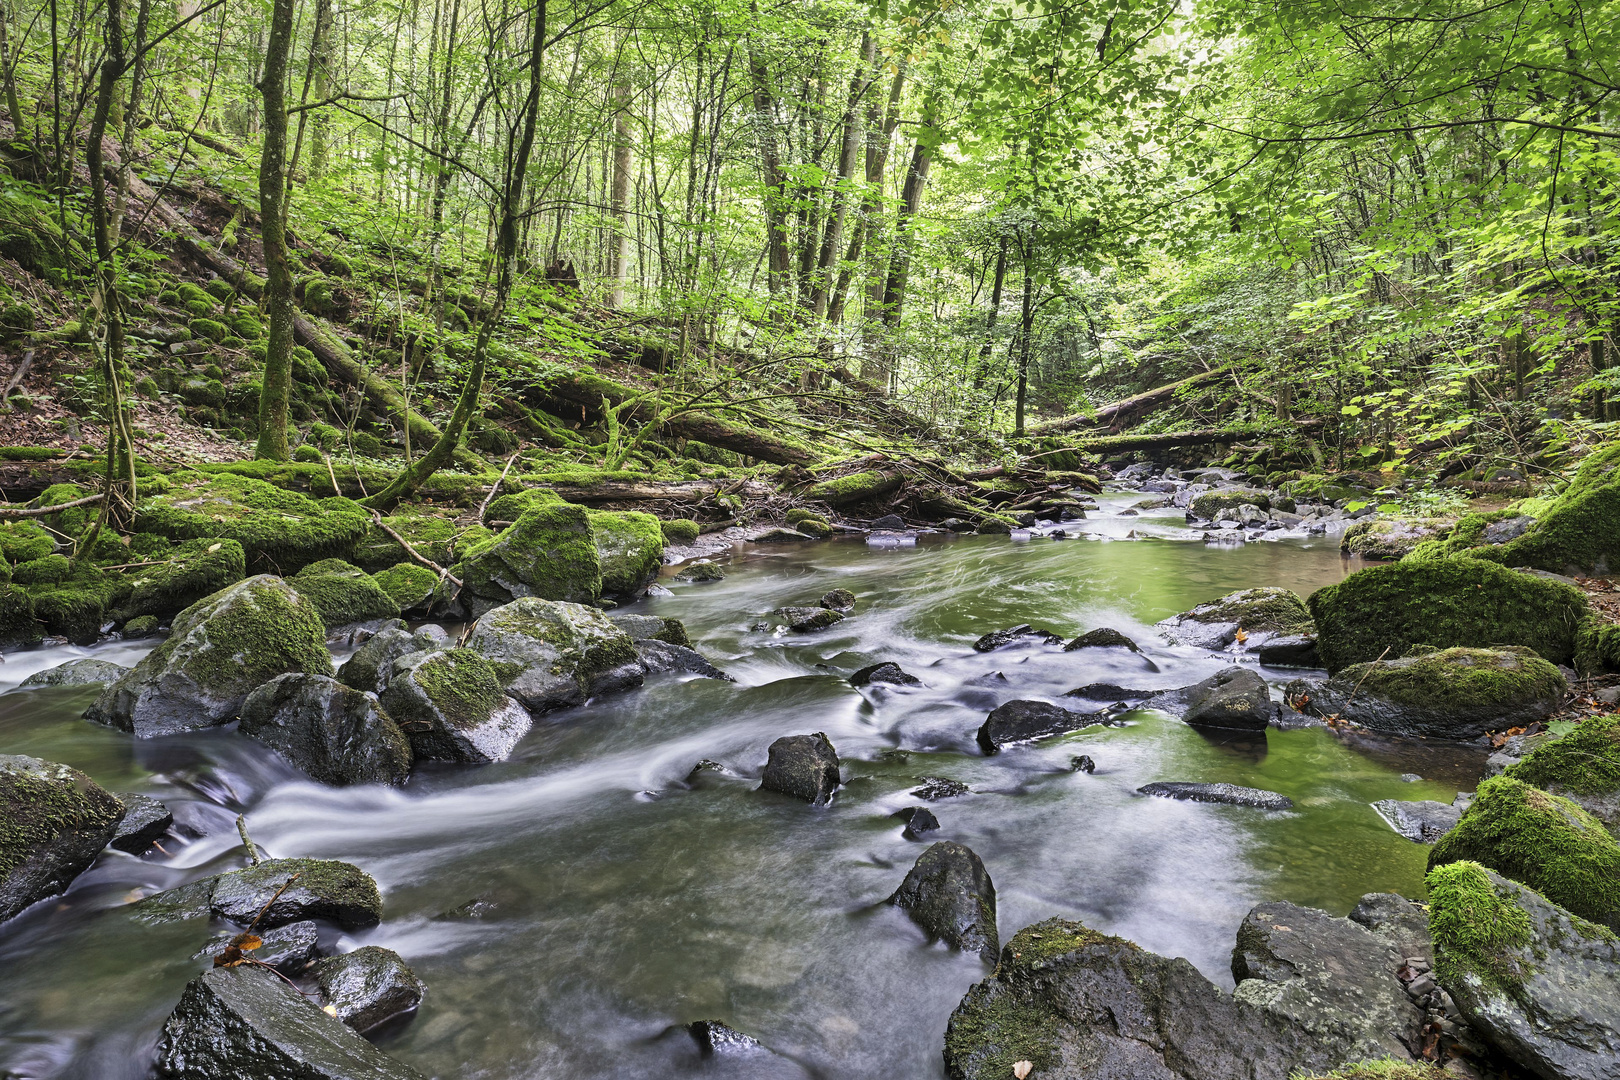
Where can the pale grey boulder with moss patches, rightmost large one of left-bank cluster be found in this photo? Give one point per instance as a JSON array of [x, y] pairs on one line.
[[552, 653]]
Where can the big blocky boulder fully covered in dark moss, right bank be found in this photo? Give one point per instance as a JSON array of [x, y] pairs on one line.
[[1384, 611]]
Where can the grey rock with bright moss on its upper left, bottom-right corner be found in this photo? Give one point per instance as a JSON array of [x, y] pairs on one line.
[[1537, 980]]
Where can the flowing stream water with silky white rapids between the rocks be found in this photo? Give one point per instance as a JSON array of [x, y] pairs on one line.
[[620, 903]]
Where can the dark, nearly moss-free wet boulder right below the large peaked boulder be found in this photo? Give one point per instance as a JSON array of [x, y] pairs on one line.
[[330, 731]]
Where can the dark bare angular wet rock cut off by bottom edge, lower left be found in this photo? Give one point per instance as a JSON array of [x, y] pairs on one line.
[[249, 1024]]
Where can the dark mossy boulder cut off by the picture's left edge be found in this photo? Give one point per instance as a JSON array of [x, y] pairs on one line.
[[54, 822]]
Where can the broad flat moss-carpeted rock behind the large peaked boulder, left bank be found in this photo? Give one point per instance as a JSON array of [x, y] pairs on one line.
[[278, 530]]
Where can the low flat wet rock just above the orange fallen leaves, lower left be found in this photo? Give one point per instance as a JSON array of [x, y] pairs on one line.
[[320, 888]]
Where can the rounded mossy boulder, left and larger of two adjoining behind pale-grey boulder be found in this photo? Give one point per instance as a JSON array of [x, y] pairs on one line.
[[548, 553]]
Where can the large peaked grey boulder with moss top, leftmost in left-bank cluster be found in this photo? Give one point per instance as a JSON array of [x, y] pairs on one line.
[[221, 650]]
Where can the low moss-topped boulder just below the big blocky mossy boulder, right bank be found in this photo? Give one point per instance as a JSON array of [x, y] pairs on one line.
[[1444, 694]]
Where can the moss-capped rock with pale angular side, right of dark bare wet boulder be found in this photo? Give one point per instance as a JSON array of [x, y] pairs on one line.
[[453, 708]]
